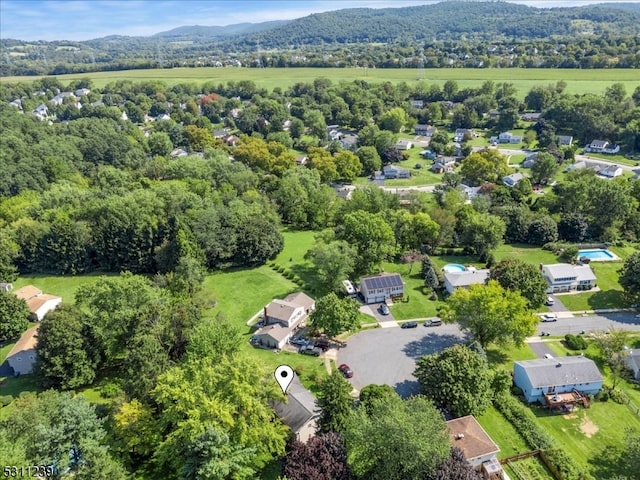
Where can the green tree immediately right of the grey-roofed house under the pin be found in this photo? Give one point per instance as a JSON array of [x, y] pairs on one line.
[[335, 403]]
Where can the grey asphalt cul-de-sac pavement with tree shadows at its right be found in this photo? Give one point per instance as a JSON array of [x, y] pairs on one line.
[[388, 355]]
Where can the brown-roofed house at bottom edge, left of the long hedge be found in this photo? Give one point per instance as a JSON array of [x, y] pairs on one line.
[[478, 447]]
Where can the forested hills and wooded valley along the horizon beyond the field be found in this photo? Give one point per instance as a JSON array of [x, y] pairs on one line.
[[447, 34]]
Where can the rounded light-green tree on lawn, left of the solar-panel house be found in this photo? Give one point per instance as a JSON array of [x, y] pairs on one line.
[[334, 261]]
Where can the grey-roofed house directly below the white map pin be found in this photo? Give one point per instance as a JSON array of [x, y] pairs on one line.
[[300, 411]]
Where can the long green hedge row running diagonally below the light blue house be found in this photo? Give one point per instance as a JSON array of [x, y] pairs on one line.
[[525, 422]]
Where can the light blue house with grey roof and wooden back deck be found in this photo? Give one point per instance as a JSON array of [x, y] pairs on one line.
[[555, 376]]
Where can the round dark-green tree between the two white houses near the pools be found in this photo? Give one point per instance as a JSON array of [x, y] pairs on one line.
[[522, 277]]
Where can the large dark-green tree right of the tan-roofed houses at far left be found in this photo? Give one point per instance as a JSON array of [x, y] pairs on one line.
[[68, 352]]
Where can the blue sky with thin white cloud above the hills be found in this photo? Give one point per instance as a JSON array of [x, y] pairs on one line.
[[87, 19]]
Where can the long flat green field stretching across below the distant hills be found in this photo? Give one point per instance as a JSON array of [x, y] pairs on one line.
[[578, 81]]
